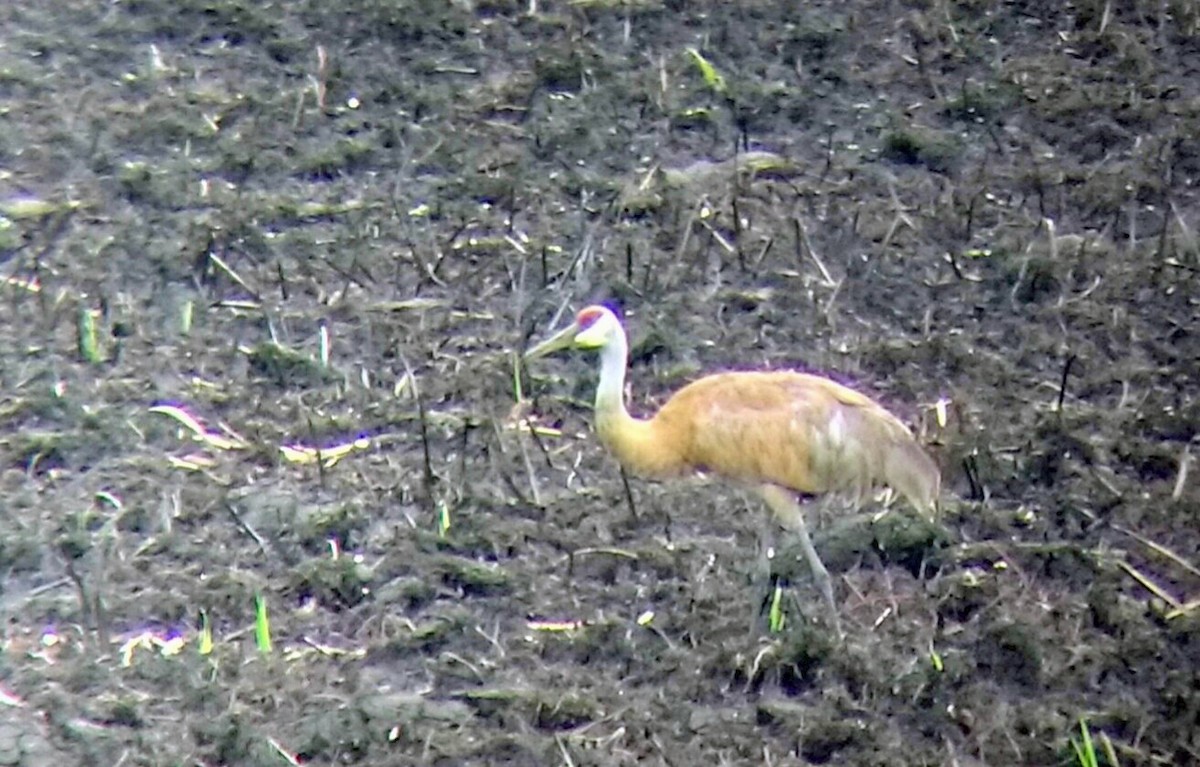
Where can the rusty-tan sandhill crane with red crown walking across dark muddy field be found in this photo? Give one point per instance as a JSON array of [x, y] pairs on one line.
[[785, 433]]
